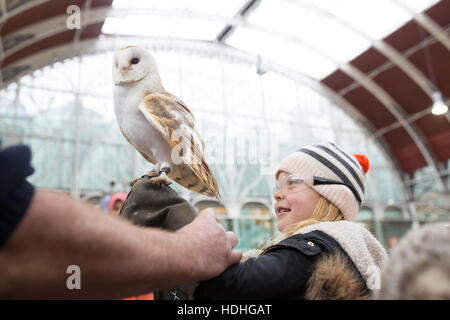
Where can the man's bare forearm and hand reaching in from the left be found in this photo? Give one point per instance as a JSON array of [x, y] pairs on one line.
[[116, 258]]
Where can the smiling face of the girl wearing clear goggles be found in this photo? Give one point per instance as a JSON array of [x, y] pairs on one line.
[[295, 205]]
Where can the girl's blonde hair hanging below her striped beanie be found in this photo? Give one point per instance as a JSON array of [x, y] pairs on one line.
[[324, 211]]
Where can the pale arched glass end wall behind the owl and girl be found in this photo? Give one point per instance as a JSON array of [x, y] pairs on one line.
[[236, 102]]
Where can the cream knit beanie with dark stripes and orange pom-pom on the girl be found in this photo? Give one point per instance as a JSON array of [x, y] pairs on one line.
[[326, 160]]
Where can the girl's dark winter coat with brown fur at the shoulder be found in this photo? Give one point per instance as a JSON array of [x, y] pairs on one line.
[[303, 266]]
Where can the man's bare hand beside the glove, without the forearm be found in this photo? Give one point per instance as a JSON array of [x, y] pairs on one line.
[[208, 247]]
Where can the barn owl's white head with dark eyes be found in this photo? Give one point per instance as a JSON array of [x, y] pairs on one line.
[[132, 64]]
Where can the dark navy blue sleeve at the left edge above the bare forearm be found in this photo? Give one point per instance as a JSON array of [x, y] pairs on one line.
[[15, 191]]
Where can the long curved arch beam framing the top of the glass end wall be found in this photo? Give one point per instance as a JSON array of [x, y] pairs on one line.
[[60, 53]]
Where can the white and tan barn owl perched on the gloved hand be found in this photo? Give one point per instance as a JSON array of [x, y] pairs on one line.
[[158, 124]]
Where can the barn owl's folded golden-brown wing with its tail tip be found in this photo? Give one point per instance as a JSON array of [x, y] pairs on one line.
[[175, 123]]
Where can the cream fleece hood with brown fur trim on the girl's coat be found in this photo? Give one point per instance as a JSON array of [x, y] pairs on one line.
[[348, 273]]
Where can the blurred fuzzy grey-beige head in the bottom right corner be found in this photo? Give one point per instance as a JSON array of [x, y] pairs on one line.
[[418, 268]]
